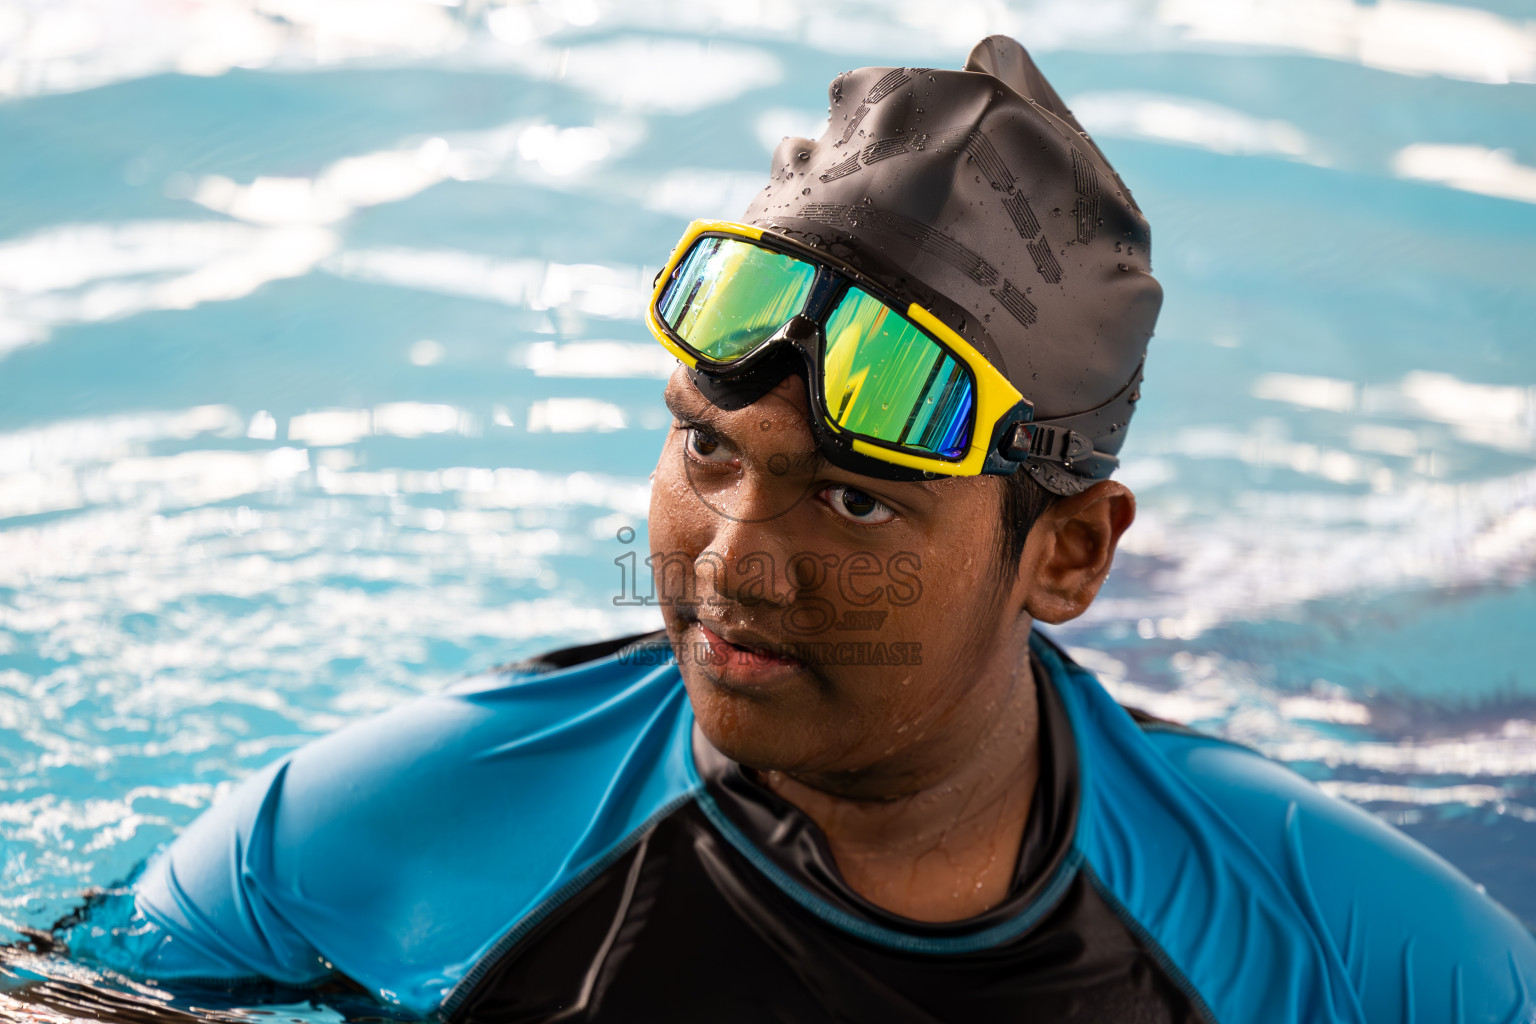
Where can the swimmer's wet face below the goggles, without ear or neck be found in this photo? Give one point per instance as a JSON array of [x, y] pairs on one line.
[[824, 621]]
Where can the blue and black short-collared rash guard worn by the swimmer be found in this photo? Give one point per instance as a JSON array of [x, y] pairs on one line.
[[560, 844]]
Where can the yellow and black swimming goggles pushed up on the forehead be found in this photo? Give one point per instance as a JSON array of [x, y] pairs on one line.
[[895, 392]]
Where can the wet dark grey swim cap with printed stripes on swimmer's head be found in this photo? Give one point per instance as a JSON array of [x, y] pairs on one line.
[[978, 196]]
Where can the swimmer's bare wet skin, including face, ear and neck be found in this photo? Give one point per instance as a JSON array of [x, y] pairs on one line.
[[921, 773]]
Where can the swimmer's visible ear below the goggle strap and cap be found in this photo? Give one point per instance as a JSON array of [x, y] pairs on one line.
[[1071, 549]]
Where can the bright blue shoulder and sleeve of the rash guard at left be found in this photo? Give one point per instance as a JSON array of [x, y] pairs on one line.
[[369, 850]]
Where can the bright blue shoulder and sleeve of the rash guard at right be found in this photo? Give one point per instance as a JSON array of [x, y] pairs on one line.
[[1273, 899]]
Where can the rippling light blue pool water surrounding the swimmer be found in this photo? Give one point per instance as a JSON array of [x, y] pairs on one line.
[[323, 378]]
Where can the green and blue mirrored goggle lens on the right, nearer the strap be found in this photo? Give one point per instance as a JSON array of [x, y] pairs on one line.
[[884, 378]]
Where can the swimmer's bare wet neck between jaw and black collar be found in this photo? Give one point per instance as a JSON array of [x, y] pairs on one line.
[[936, 837]]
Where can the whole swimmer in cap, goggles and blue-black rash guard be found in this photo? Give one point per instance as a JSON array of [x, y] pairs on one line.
[[850, 781]]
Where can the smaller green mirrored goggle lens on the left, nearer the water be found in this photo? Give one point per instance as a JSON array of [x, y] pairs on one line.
[[727, 297]]
